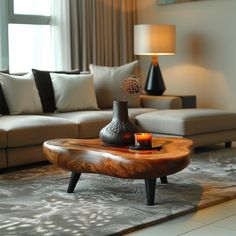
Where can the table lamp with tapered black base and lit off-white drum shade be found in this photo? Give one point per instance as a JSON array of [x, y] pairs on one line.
[[154, 40]]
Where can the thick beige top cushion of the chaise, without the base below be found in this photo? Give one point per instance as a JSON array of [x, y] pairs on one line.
[[187, 121]]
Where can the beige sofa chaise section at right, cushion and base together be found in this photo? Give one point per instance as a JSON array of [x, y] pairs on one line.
[[203, 126]]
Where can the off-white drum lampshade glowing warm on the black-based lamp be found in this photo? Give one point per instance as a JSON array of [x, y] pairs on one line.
[[154, 39]]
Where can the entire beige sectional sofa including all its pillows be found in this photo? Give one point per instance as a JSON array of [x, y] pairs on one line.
[[24, 129]]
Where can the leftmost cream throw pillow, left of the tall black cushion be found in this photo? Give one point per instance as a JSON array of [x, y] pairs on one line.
[[21, 94]]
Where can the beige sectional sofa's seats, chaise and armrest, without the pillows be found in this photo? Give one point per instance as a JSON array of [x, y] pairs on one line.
[[22, 136]]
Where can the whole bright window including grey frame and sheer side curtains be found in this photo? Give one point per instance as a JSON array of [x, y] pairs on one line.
[[34, 34]]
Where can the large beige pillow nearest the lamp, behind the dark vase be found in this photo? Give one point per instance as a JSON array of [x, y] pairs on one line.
[[108, 81]]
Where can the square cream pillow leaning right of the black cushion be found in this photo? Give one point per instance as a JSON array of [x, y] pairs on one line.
[[74, 92]]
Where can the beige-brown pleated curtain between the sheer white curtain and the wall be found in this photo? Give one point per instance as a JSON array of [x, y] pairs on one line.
[[102, 32]]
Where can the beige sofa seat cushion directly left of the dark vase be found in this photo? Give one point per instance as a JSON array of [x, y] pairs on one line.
[[89, 122]]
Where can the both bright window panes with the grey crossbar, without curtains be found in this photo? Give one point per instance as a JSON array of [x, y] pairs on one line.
[[29, 39]]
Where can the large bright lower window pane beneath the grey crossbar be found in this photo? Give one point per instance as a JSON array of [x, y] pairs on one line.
[[29, 47]]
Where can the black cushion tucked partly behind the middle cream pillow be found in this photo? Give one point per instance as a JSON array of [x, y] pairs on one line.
[[45, 87]]
